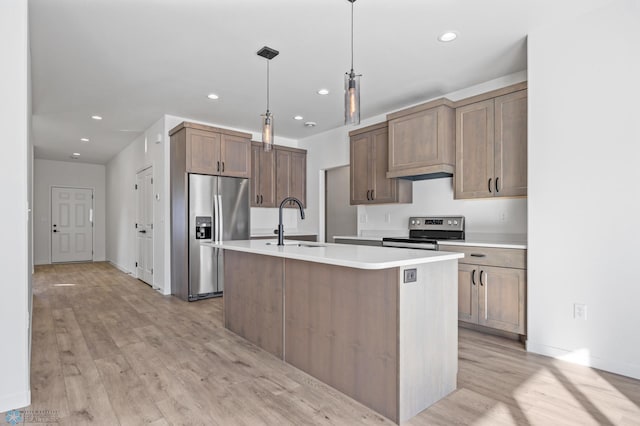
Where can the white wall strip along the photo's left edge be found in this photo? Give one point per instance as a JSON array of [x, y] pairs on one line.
[[14, 175]]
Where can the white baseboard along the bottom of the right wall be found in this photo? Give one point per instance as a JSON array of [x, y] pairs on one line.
[[582, 357]]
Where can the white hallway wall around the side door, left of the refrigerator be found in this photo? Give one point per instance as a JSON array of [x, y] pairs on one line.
[[146, 150]]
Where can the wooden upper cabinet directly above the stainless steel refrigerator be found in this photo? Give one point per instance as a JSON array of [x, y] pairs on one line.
[[211, 150]]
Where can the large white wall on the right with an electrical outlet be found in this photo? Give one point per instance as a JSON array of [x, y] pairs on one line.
[[584, 146]]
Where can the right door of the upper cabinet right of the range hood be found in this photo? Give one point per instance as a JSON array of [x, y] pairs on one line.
[[511, 144]]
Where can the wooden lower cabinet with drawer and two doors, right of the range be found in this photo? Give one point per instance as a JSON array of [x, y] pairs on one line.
[[492, 288]]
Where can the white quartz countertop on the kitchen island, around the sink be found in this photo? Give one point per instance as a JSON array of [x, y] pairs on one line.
[[351, 256]]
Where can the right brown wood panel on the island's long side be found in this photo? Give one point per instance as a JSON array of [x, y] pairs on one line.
[[341, 327]]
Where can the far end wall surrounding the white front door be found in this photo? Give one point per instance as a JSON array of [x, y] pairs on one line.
[[48, 173]]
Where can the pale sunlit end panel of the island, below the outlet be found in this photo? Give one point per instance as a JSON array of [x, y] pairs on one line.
[[428, 337]]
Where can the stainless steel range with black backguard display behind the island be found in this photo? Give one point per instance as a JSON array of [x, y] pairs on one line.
[[426, 231]]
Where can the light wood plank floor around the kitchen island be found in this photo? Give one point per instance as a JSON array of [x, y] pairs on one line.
[[109, 350]]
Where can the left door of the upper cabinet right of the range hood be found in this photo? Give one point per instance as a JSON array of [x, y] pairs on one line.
[[474, 176]]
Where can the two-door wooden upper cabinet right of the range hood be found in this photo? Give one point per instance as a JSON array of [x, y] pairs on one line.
[[491, 145]]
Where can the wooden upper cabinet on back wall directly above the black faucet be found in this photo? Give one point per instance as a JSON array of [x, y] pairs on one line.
[[291, 175]]
